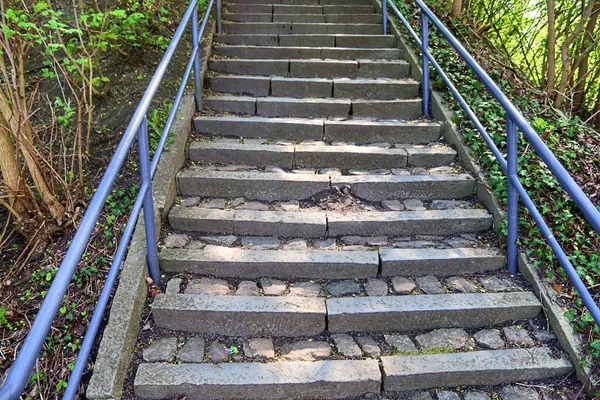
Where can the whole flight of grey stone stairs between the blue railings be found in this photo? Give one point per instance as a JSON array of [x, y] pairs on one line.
[[328, 244]]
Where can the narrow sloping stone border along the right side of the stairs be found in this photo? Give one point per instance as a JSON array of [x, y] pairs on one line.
[[560, 325]]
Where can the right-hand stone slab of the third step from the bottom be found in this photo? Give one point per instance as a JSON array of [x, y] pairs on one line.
[[439, 262]]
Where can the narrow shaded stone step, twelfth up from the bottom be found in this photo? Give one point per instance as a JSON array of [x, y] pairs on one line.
[[356, 41]]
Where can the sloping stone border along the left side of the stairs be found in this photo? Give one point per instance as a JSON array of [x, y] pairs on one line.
[[120, 334]]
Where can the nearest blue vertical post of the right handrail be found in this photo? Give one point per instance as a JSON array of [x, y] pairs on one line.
[[513, 197]]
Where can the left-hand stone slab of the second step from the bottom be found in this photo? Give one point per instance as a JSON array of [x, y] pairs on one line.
[[240, 315]]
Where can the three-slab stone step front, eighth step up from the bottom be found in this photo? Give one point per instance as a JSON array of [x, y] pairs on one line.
[[318, 108]]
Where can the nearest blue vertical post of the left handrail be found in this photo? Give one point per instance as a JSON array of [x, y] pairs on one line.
[[152, 249]]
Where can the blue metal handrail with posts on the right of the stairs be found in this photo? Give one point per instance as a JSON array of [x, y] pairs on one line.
[[514, 121]]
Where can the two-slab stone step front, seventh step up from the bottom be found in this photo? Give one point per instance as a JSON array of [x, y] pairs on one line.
[[355, 131]]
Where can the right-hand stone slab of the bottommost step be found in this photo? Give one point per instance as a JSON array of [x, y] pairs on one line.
[[479, 368]]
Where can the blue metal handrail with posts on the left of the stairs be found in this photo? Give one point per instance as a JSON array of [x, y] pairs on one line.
[[138, 127]]
